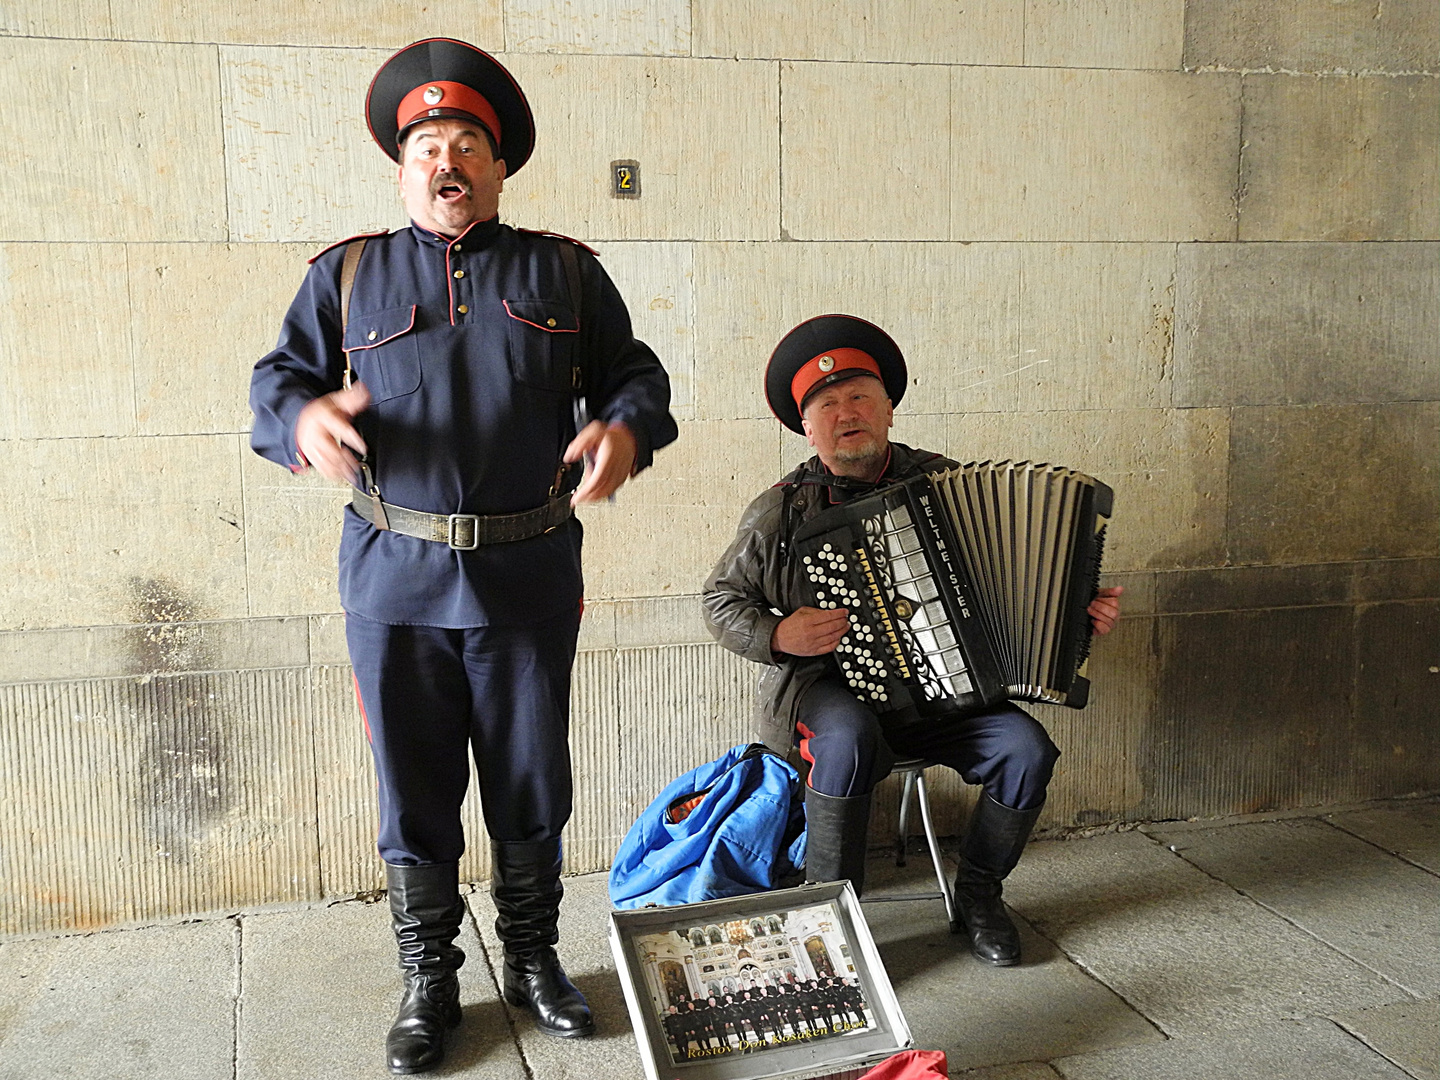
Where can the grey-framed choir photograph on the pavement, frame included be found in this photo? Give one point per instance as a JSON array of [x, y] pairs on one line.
[[783, 984]]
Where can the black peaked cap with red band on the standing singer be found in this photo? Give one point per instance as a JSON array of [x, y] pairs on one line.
[[447, 61]]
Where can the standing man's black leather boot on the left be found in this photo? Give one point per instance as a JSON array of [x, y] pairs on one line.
[[426, 912]]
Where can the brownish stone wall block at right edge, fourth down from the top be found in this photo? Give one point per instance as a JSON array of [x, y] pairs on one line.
[[1331, 483]]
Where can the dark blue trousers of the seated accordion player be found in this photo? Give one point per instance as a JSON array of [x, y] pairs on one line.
[[1003, 750]]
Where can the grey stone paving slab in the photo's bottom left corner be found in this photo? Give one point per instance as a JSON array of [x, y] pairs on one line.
[[136, 1004]]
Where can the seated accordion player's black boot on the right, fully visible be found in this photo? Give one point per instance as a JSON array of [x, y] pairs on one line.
[[993, 847]]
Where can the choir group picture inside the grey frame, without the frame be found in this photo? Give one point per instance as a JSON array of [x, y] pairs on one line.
[[754, 984]]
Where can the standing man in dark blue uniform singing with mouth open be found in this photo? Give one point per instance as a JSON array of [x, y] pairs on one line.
[[443, 371]]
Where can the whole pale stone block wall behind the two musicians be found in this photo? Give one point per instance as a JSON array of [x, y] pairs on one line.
[[1187, 246]]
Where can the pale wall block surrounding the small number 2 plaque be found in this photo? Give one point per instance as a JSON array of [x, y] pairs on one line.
[[698, 181]]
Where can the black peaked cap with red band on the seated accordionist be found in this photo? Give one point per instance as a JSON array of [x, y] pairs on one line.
[[811, 342]]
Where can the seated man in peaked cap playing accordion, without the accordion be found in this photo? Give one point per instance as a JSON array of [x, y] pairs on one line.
[[836, 379]]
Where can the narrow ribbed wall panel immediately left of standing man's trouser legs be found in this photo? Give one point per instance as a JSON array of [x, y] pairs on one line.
[[348, 816]]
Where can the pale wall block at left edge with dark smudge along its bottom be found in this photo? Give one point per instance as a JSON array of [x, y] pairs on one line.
[[114, 529]]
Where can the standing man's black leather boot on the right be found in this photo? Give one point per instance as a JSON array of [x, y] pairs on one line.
[[526, 886]]
